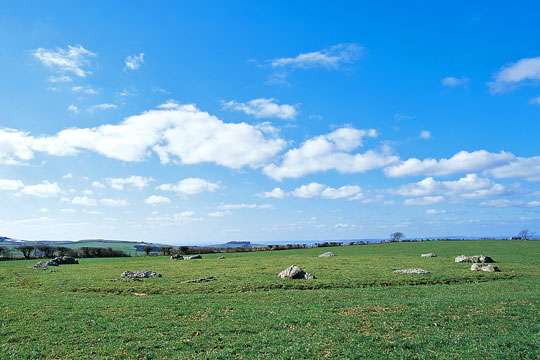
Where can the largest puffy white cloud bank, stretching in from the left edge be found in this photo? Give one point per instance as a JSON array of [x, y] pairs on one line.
[[182, 131]]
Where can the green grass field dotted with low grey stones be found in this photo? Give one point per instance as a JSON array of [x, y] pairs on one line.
[[355, 309]]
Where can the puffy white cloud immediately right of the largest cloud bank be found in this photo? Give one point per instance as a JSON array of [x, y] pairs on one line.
[[330, 152]]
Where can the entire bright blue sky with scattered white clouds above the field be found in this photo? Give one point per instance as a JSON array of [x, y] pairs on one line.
[[189, 123]]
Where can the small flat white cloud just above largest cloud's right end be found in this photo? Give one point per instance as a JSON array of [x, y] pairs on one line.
[[263, 108]]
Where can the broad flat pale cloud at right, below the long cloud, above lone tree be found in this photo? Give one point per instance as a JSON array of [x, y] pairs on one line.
[[470, 186]]
